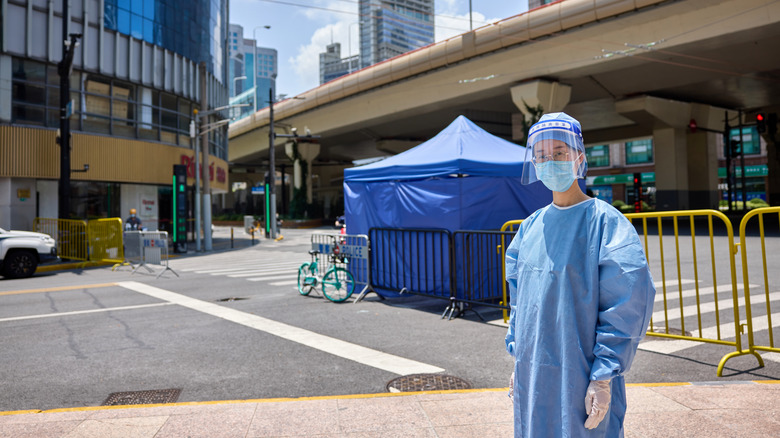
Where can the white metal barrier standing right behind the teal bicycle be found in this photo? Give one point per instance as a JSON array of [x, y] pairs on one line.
[[353, 247]]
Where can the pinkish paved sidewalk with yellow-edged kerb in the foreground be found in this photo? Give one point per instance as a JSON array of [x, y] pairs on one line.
[[745, 409]]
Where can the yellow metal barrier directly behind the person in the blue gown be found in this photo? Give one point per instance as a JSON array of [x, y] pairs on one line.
[[669, 321]]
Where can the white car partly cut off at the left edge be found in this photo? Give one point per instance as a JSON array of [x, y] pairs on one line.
[[22, 251]]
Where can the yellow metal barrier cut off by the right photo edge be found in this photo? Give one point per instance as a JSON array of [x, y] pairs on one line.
[[759, 323]]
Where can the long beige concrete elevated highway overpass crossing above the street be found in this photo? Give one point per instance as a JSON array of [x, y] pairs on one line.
[[626, 69]]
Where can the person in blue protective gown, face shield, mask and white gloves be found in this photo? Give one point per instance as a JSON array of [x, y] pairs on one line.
[[581, 297]]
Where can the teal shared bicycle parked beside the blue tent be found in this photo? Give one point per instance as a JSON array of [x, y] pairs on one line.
[[337, 283]]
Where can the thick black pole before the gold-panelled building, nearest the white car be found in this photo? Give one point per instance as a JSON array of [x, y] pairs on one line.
[[64, 69]]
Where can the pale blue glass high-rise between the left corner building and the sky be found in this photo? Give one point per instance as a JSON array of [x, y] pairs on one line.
[[257, 65]]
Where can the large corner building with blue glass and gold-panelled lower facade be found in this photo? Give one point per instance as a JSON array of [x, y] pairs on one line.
[[135, 83]]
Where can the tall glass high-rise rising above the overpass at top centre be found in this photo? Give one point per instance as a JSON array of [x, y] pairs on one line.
[[391, 27]]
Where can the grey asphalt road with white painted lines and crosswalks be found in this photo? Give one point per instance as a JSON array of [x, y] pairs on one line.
[[71, 338]]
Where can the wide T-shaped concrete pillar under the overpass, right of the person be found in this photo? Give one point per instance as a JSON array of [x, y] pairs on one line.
[[686, 163]]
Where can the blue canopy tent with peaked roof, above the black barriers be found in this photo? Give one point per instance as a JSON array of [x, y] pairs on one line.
[[462, 179]]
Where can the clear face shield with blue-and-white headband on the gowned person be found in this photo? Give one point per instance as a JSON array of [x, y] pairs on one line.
[[555, 153]]
